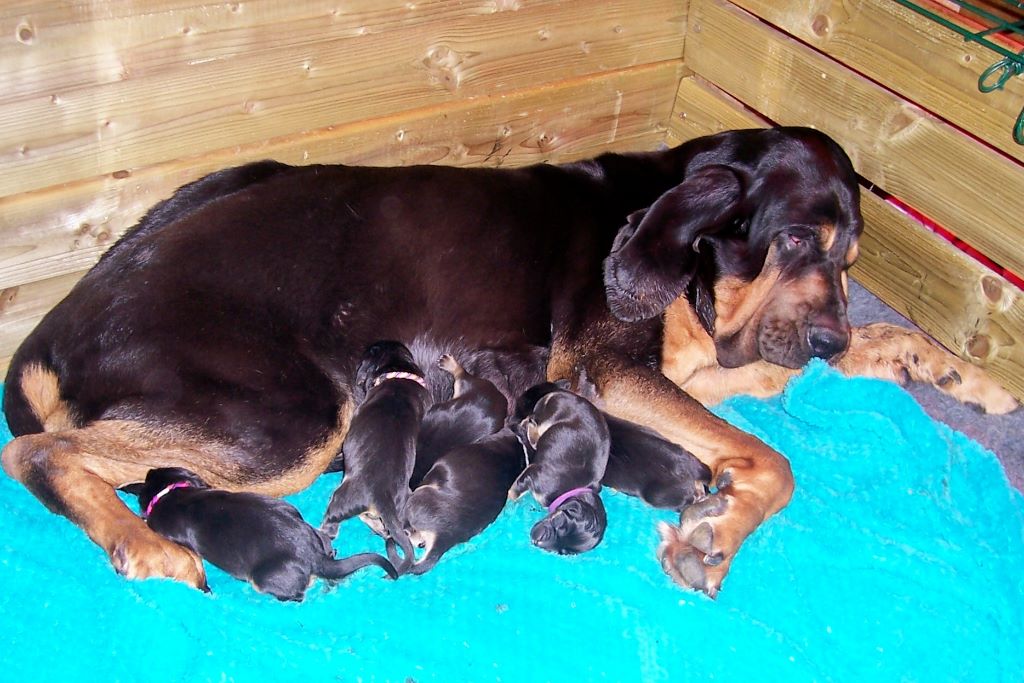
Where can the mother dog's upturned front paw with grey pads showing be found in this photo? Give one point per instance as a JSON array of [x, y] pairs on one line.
[[690, 554]]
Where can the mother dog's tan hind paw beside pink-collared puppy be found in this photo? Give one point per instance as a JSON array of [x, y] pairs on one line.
[[148, 556]]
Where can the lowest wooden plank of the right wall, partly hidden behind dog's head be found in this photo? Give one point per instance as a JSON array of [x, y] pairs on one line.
[[961, 304]]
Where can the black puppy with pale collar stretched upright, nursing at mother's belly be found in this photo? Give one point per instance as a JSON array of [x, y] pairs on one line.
[[379, 451]]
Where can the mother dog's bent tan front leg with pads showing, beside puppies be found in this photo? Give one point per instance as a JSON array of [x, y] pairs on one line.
[[754, 481]]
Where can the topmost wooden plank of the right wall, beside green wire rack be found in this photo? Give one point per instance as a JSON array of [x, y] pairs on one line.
[[924, 62]]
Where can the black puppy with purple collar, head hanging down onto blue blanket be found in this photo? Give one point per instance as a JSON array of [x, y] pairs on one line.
[[568, 442]]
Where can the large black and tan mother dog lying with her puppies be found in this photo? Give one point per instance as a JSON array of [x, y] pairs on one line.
[[223, 333]]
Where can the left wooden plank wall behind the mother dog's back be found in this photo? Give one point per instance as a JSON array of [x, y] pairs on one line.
[[106, 109]]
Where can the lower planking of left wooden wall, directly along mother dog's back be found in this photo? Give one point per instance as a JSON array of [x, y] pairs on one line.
[[51, 238]]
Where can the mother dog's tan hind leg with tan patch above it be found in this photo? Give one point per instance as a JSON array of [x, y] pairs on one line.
[[75, 473]]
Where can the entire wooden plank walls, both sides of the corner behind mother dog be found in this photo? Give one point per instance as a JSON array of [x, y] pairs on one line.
[[106, 109]]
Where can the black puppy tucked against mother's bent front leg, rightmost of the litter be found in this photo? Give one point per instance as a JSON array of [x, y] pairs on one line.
[[645, 464]]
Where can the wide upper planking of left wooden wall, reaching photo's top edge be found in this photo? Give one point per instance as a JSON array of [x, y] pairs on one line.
[[190, 81]]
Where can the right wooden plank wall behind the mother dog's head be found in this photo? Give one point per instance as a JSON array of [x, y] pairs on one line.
[[901, 94]]
